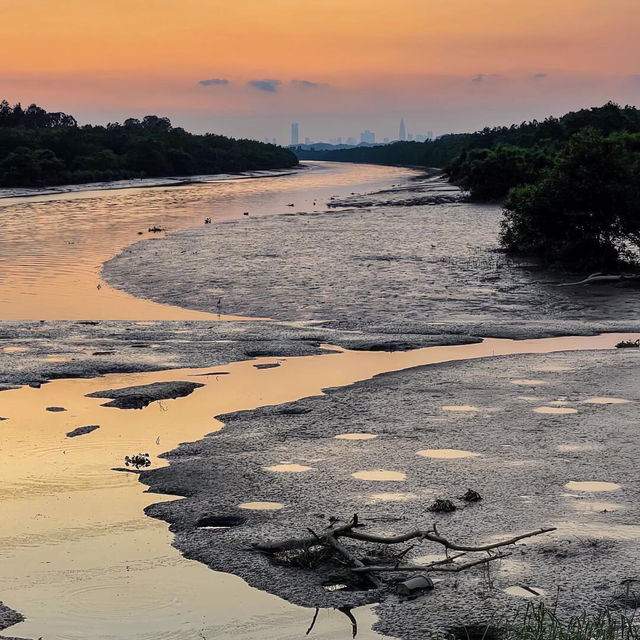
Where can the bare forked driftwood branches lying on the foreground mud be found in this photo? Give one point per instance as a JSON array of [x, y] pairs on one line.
[[330, 536]]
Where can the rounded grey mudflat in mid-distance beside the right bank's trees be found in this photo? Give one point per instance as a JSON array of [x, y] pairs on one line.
[[365, 269]]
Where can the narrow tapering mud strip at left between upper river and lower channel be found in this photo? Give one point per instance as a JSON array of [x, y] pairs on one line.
[[41, 351]]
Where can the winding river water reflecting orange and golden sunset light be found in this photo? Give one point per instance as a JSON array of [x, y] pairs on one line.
[[78, 557]]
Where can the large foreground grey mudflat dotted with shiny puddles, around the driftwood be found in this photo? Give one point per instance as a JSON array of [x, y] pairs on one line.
[[523, 465]]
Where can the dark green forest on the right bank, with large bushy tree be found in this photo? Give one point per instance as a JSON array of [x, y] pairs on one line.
[[570, 185]]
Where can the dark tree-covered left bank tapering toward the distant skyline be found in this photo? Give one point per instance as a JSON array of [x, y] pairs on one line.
[[39, 148]]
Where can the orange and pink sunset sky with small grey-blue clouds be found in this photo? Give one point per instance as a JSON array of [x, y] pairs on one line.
[[250, 67]]
